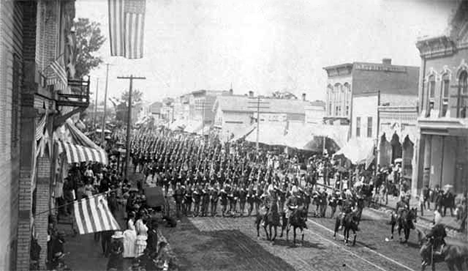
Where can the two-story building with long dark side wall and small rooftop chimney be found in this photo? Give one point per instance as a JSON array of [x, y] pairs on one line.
[[356, 90]]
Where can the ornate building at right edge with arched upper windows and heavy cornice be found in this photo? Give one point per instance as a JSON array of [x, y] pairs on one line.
[[443, 103]]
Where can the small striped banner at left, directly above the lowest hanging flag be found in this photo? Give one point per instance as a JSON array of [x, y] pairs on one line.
[[77, 154]]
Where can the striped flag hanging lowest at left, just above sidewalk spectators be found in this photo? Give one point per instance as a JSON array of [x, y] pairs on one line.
[[93, 215]]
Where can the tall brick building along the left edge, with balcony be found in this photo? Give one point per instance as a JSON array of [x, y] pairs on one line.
[[34, 96]]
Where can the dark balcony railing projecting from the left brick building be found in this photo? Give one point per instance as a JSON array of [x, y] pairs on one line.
[[78, 96]]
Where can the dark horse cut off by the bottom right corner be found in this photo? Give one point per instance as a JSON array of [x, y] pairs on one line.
[[454, 254]]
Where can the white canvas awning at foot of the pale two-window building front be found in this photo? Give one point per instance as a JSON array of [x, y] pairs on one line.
[[358, 150]]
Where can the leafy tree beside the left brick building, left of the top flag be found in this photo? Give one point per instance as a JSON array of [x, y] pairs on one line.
[[89, 40]]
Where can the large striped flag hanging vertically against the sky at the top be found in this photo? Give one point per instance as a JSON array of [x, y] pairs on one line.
[[126, 27]]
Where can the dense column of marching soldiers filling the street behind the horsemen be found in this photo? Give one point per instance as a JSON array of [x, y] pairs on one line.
[[204, 174]]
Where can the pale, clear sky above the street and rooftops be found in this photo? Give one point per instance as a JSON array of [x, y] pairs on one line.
[[262, 45]]
